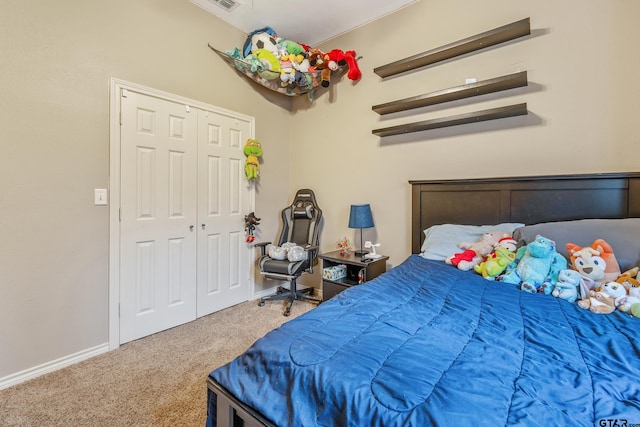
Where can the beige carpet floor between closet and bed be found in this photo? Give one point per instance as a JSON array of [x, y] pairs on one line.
[[159, 380]]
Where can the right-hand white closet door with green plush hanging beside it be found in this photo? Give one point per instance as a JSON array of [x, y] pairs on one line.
[[224, 258]]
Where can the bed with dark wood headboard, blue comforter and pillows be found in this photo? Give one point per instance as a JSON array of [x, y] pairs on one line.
[[427, 344]]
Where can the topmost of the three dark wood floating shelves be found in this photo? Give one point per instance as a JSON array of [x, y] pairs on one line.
[[480, 41]]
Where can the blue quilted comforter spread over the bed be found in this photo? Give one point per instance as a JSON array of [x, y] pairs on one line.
[[426, 344]]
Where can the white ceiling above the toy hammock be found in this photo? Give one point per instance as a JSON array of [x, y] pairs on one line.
[[303, 21]]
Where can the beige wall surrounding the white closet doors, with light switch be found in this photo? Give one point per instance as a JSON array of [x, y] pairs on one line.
[[57, 61]]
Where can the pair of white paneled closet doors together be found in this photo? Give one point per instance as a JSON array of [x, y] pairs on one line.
[[183, 201]]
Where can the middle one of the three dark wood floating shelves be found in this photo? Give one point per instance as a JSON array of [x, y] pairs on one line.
[[497, 84]]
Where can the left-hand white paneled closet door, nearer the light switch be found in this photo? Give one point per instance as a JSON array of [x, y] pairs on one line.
[[158, 215]]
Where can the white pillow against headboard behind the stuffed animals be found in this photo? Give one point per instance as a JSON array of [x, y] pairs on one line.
[[441, 241]]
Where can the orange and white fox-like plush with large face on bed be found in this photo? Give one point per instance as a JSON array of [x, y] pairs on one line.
[[596, 261]]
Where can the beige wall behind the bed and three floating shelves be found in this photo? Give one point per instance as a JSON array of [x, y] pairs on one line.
[[582, 99]]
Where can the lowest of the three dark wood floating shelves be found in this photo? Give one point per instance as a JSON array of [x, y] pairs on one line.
[[460, 119]]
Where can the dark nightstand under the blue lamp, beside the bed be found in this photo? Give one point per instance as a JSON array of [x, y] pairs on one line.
[[358, 271]]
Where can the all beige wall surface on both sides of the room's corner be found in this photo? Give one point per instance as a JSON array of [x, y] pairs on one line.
[[57, 59]]
